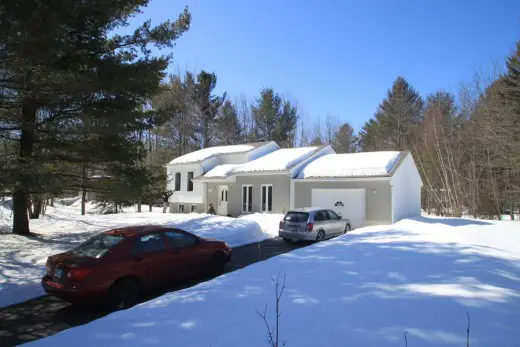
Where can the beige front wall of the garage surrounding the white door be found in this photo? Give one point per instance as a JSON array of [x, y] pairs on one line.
[[378, 206]]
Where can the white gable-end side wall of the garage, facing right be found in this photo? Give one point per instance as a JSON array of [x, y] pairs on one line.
[[406, 190]]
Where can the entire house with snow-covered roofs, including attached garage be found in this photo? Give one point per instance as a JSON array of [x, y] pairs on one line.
[[368, 188]]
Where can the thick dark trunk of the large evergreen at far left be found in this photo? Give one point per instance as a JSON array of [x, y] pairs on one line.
[[21, 191]]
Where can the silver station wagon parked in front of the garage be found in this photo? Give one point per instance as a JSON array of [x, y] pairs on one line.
[[312, 224]]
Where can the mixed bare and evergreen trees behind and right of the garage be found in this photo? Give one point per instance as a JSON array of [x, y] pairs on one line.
[[467, 150]]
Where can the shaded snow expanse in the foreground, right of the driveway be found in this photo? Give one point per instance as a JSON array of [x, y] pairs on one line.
[[365, 288]]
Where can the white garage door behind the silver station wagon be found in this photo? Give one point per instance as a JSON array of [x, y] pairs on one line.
[[349, 203]]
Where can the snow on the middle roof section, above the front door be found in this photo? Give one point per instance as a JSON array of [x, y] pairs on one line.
[[279, 160]]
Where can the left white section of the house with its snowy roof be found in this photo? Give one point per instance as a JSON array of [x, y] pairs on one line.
[[189, 195]]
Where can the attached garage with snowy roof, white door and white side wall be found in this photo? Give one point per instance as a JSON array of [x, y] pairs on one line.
[[369, 188]]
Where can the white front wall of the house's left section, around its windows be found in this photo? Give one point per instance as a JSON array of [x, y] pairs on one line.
[[183, 196]]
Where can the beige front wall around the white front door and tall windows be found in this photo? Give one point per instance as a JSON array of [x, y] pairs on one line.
[[280, 183]]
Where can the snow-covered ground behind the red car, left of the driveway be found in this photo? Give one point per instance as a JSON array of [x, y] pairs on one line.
[[22, 259]]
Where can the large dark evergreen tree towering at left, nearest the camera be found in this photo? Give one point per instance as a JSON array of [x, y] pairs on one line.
[[57, 65]]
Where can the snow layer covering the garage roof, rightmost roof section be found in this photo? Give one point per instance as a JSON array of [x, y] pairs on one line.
[[351, 165]]
